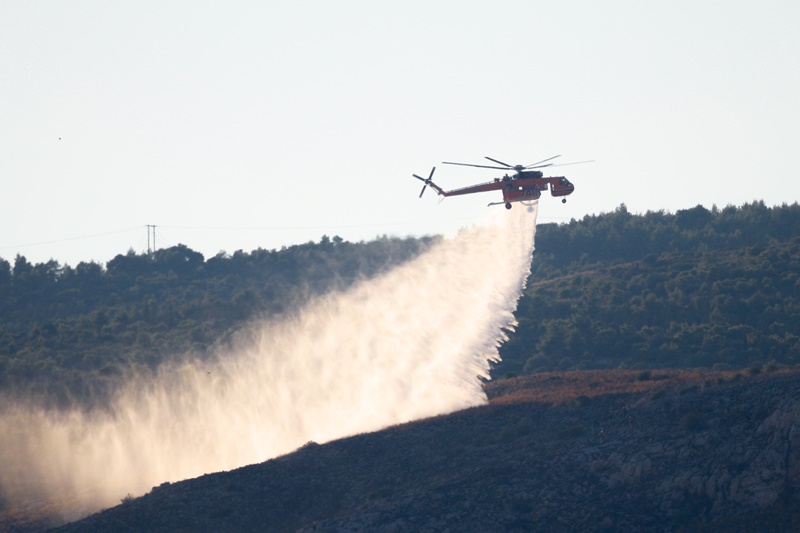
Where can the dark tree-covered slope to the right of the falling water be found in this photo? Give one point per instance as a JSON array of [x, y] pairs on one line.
[[698, 288]]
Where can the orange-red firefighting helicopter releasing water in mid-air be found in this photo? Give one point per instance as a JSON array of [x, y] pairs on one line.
[[526, 184]]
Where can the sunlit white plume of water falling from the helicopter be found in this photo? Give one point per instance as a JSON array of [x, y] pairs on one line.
[[405, 345]]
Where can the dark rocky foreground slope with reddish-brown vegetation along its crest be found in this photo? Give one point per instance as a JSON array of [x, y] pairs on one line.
[[677, 451]]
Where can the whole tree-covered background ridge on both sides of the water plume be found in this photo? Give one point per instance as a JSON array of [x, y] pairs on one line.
[[697, 288]]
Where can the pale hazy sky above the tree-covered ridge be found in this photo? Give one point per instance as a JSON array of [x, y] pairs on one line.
[[237, 125]]
